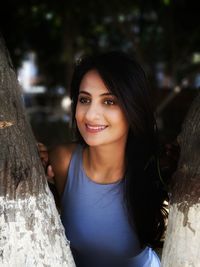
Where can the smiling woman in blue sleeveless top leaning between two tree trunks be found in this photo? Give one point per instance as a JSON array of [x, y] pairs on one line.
[[111, 194]]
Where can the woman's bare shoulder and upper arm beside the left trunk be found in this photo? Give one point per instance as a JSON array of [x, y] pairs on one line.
[[59, 159]]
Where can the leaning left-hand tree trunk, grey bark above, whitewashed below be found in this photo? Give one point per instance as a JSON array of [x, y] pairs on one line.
[[31, 233]]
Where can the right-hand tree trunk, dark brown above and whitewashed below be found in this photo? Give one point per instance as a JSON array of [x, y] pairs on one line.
[[182, 245]]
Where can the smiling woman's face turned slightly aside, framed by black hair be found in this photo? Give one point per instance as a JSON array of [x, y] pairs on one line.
[[99, 117]]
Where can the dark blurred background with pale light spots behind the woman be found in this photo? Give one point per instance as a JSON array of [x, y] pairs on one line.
[[45, 38]]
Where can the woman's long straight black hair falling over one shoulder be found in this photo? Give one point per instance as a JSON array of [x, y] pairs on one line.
[[144, 196]]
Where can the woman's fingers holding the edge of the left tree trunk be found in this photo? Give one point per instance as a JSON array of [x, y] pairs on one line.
[[44, 156]]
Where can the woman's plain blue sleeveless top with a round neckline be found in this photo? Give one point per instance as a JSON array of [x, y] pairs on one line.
[[96, 224]]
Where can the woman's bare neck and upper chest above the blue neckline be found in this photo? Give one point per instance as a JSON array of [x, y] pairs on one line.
[[104, 164]]
